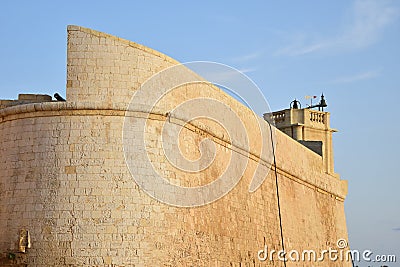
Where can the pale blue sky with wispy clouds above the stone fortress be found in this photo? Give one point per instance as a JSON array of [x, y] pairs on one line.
[[349, 50]]
